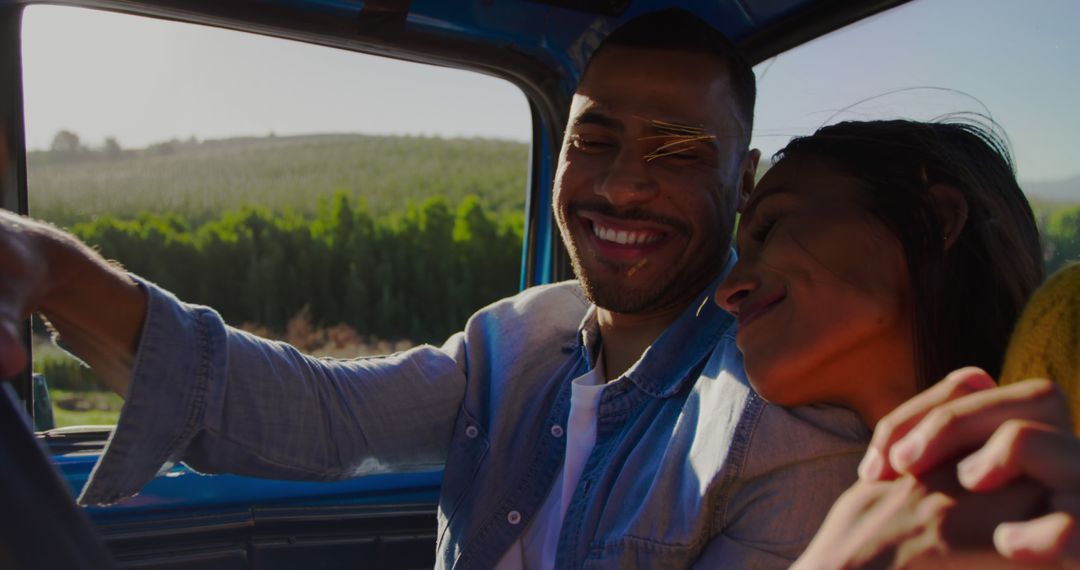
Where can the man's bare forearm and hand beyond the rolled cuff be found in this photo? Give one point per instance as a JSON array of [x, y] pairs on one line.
[[96, 307]]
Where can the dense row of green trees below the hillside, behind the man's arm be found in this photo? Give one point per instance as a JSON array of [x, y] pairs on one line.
[[414, 276]]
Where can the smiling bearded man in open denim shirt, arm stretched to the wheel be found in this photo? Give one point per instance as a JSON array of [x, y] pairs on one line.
[[606, 422]]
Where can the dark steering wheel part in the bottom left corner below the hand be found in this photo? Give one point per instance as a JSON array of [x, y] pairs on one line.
[[40, 524]]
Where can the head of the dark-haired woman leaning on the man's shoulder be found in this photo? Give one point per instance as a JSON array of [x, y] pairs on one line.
[[875, 257]]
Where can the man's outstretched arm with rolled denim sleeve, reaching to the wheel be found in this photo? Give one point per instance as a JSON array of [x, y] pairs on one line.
[[220, 399]]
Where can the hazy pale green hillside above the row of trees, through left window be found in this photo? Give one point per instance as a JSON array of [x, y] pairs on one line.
[[200, 180]]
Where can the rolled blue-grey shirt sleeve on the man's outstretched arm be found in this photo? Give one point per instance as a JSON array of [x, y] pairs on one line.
[[225, 401]]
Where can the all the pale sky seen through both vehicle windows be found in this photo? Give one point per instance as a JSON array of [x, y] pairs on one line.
[[143, 82]]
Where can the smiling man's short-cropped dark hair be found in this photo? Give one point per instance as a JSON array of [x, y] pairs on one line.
[[679, 30]]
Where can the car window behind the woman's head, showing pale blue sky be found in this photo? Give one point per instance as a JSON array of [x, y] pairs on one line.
[[1010, 62]]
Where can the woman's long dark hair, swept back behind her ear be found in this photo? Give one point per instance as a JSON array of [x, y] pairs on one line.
[[967, 297]]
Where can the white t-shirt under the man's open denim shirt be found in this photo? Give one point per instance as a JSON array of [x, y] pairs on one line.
[[539, 544]]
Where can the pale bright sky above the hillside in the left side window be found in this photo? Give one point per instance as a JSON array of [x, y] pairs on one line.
[[143, 82]]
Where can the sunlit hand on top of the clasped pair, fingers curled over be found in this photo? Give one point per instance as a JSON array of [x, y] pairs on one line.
[[1002, 437]]
